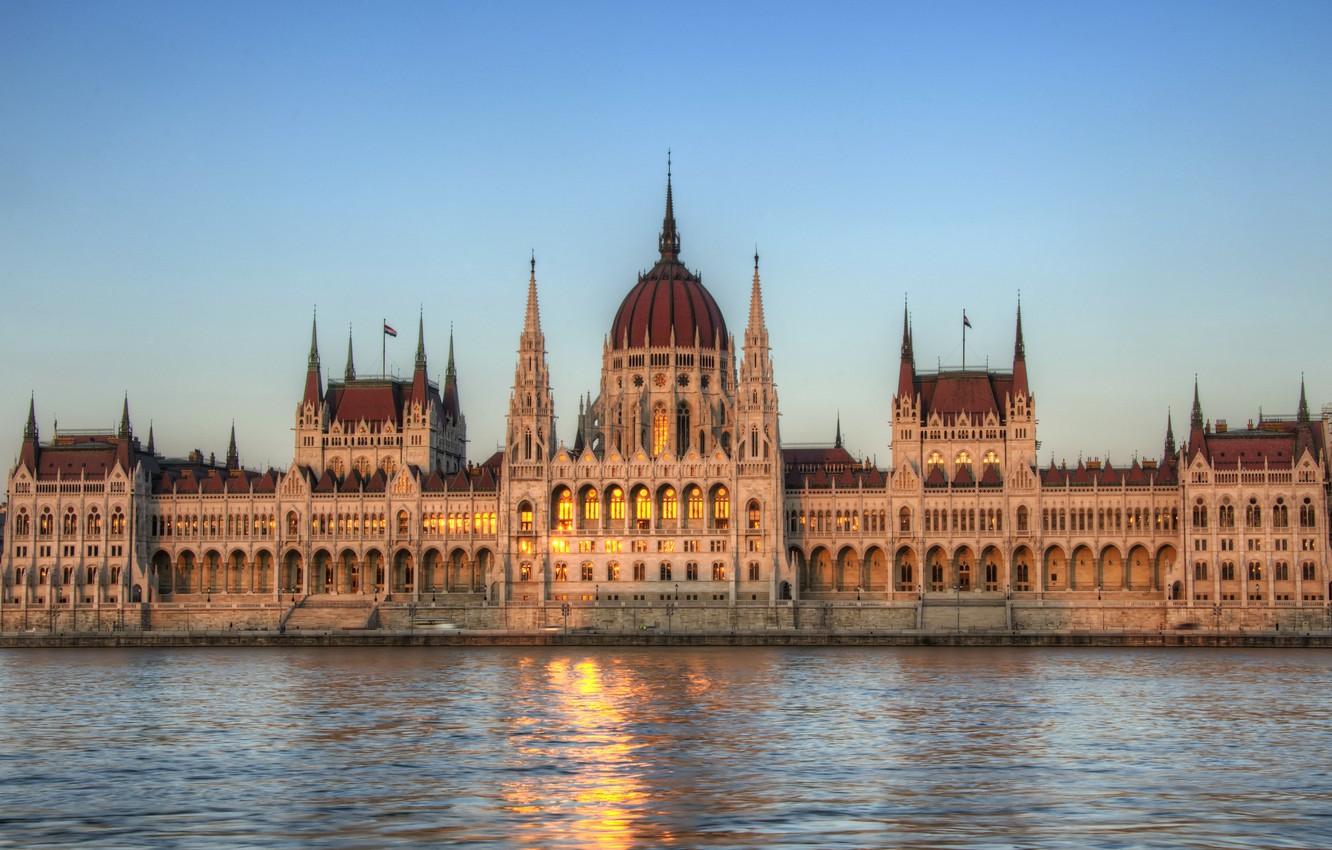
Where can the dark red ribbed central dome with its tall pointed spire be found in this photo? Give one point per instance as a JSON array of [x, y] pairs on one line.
[[669, 306]]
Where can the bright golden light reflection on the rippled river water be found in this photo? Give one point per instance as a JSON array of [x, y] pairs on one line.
[[584, 728]]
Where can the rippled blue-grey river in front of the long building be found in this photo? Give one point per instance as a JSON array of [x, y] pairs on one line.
[[647, 748]]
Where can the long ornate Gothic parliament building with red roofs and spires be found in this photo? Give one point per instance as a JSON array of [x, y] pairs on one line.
[[675, 502]]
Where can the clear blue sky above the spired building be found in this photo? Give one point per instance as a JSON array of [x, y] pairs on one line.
[[182, 185]]
